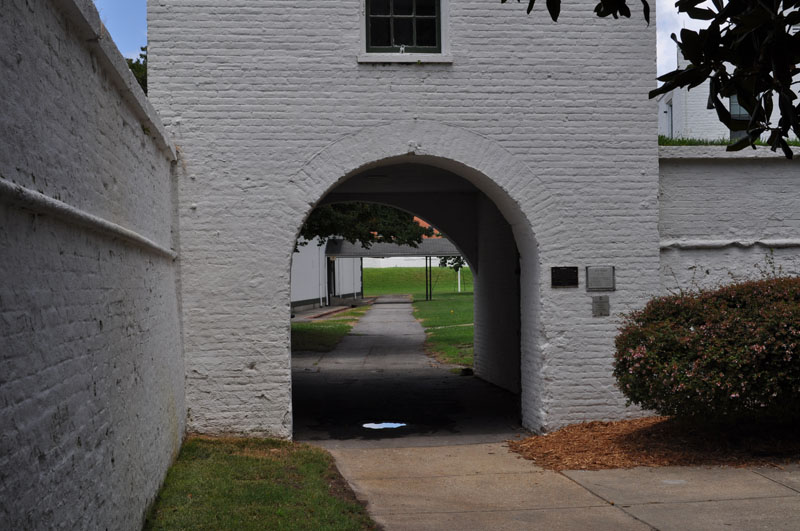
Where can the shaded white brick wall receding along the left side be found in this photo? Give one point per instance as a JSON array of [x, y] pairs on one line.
[[91, 372]]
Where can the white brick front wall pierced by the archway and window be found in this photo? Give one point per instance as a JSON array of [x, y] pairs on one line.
[[253, 90]]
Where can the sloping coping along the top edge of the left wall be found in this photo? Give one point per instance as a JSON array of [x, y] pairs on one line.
[[86, 19]]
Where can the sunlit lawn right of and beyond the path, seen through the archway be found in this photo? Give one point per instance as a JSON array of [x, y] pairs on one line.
[[448, 318]]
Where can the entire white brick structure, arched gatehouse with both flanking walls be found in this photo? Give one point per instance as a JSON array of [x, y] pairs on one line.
[[146, 284]]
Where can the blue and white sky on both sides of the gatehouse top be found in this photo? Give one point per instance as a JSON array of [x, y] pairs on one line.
[[126, 20]]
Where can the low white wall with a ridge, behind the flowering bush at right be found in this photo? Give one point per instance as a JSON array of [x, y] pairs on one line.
[[708, 198]]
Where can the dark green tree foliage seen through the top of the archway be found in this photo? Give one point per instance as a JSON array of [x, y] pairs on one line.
[[366, 223]]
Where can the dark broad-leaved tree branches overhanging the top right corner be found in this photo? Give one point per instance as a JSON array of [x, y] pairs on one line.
[[750, 49]]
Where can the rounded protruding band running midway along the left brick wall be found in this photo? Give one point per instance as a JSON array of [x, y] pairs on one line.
[[23, 197]]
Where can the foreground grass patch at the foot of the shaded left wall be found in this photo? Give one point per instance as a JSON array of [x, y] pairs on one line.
[[242, 484]]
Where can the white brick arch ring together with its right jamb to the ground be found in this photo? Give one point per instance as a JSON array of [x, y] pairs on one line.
[[524, 199]]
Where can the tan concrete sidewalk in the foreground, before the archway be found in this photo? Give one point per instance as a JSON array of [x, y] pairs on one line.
[[484, 486]]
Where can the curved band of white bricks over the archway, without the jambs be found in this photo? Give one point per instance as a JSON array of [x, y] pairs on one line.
[[518, 192]]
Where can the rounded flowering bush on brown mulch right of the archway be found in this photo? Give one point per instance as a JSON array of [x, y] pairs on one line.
[[722, 355]]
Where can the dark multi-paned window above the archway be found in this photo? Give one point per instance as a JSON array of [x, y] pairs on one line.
[[404, 26]]
